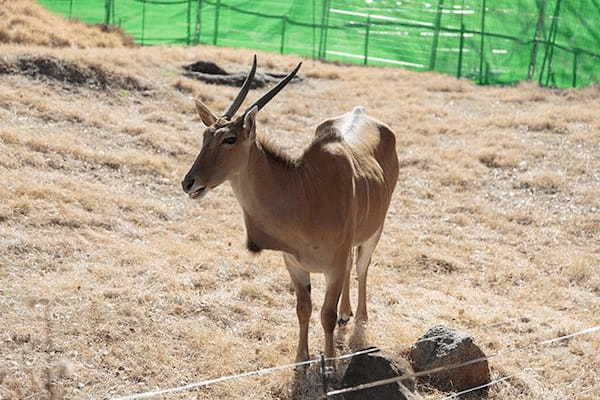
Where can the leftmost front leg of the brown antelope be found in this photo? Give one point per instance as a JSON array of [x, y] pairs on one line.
[[301, 280]]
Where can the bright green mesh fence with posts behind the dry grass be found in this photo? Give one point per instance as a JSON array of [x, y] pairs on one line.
[[554, 42]]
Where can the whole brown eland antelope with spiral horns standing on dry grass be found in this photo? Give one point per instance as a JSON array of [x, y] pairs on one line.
[[316, 209]]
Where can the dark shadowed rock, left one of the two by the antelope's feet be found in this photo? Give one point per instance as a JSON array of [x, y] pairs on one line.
[[371, 367]]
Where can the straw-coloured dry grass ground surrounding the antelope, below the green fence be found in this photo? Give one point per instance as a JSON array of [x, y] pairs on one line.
[[113, 282]]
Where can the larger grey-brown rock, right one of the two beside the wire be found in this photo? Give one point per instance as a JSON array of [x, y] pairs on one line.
[[443, 347]]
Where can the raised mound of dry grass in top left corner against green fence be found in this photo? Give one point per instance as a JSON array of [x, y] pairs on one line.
[[25, 22]]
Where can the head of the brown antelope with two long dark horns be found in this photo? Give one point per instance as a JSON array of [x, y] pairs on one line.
[[227, 140]]
